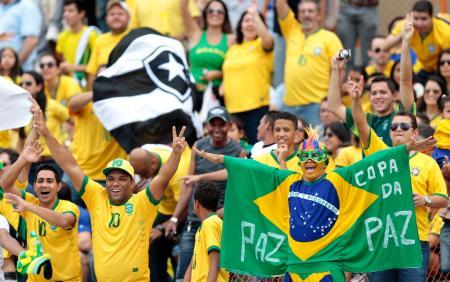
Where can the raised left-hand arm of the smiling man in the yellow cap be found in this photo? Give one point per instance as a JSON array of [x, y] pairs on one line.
[[60, 154]]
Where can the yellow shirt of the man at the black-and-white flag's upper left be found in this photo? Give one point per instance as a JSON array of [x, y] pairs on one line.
[[102, 48]]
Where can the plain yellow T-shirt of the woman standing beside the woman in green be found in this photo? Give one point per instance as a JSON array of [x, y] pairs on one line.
[[247, 74]]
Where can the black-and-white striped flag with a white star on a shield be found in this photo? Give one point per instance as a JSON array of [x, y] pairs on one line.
[[146, 89]]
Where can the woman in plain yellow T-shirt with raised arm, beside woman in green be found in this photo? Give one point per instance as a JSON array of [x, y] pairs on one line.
[[247, 71]]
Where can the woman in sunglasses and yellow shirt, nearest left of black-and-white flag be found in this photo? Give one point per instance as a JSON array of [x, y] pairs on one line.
[[58, 87]]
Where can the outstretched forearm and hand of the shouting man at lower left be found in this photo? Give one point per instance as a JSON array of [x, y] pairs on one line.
[[63, 220]]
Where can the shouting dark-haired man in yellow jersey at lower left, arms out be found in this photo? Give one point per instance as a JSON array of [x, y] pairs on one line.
[[53, 220]]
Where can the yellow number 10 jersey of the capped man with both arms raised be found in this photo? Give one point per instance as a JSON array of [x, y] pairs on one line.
[[120, 234]]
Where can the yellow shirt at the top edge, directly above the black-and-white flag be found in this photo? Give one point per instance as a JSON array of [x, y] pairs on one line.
[[164, 16]]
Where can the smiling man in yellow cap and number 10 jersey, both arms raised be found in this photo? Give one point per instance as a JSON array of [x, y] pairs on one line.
[[122, 220]]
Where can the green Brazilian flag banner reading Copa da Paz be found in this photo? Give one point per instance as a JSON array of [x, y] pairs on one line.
[[358, 218]]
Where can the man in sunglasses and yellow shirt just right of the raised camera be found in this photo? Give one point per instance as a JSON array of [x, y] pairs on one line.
[[379, 57]]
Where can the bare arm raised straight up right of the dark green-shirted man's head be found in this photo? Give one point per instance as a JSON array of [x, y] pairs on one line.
[[406, 94]]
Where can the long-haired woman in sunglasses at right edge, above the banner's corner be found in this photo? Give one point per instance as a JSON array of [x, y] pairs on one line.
[[429, 104]]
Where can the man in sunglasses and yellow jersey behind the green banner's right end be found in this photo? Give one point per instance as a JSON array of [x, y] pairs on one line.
[[428, 185]]
